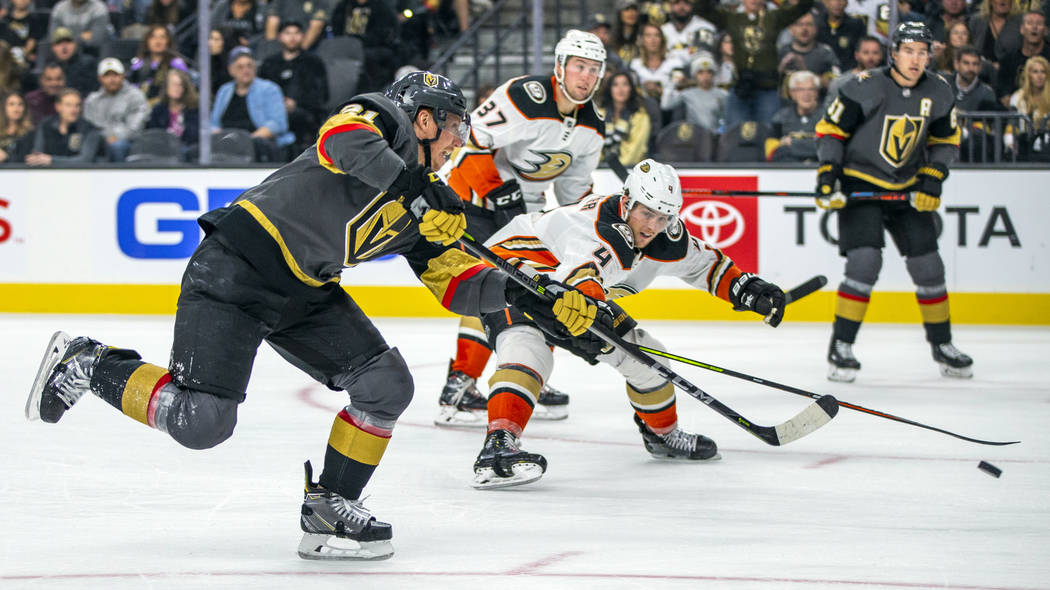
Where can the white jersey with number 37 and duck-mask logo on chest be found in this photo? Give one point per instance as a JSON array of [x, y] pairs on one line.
[[519, 134]]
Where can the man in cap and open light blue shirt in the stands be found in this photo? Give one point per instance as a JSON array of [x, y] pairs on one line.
[[253, 104]]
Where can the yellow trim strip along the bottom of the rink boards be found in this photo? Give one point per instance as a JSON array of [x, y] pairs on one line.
[[1023, 309]]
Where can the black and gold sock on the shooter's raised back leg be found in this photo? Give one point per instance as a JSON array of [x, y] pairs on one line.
[[130, 385]]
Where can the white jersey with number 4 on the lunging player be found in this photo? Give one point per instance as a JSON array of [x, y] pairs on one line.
[[589, 246]]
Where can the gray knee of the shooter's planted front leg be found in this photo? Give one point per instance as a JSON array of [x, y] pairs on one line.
[[383, 387]]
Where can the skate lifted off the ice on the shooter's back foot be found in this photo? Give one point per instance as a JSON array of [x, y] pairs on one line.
[[65, 376]]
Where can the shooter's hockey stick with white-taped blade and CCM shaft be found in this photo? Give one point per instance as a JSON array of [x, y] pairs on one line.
[[815, 416]]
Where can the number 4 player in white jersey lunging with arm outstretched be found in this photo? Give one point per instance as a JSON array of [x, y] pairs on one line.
[[605, 247]]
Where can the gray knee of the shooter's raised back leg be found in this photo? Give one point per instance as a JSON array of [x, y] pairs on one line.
[[198, 420]]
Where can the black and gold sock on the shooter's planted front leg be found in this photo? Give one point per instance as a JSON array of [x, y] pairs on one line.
[[356, 445]]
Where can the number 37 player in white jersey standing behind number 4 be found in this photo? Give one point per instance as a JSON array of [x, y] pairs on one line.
[[535, 133]]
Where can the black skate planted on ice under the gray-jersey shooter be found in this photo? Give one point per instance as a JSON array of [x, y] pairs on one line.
[[337, 529]]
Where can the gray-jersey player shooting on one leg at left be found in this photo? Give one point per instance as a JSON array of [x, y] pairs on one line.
[[269, 269]]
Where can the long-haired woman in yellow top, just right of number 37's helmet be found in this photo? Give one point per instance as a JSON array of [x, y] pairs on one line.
[[627, 124]]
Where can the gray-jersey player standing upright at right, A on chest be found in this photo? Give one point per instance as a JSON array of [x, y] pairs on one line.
[[891, 130]]
